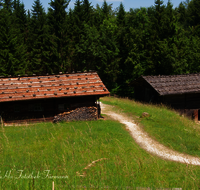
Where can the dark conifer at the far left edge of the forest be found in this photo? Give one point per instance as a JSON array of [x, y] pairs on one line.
[[12, 53]]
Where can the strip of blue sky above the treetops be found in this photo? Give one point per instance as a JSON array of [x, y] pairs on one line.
[[127, 3]]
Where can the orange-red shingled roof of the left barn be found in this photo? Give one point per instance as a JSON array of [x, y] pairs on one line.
[[51, 86]]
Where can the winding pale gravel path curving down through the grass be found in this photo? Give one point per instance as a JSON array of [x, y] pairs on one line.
[[146, 142]]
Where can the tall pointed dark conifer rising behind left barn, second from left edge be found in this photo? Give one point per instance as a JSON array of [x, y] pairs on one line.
[[39, 49]]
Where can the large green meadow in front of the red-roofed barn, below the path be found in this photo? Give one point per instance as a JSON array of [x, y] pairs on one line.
[[67, 148]]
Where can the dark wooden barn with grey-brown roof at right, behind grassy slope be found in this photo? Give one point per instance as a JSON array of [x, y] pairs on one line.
[[181, 92]]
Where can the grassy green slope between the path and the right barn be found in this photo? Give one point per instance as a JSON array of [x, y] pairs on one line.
[[164, 125]]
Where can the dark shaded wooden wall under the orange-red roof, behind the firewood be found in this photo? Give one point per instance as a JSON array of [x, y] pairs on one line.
[[44, 108]]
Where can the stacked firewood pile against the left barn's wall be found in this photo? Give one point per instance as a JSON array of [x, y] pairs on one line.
[[78, 114]]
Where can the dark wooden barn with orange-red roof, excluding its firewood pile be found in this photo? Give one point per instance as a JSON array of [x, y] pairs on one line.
[[40, 98]]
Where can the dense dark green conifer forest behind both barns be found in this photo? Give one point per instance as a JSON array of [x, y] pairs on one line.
[[120, 45]]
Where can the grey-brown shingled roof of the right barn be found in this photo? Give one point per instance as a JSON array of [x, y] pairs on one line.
[[174, 84]]
